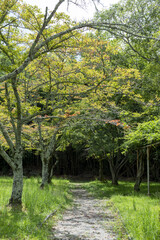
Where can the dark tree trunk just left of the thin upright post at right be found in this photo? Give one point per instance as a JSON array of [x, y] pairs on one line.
[[140, 170]]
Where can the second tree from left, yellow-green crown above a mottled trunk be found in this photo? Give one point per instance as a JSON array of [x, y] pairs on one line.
[[65, 83]]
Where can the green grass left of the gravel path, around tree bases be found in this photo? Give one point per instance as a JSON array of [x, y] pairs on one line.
[[37, 205]]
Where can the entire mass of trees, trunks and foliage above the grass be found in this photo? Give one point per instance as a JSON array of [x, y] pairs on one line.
[[79, 99]]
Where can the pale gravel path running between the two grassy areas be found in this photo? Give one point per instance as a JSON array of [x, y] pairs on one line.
[[87, 220]]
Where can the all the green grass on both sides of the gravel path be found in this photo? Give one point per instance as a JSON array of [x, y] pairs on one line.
[[139, 213]]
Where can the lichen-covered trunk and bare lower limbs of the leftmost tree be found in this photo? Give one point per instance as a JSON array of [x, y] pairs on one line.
[[14, 158]]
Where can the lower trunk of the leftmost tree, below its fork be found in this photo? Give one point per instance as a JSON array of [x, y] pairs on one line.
[[17, 188]]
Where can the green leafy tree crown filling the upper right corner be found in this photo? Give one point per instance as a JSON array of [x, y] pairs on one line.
[[138, 18]]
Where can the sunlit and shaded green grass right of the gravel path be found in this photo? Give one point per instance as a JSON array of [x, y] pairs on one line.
[[139, 213]]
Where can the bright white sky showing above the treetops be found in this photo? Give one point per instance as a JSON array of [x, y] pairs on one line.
[[74, 12]]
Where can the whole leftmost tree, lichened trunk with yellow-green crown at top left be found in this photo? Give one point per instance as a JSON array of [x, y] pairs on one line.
[[43, 35]]
